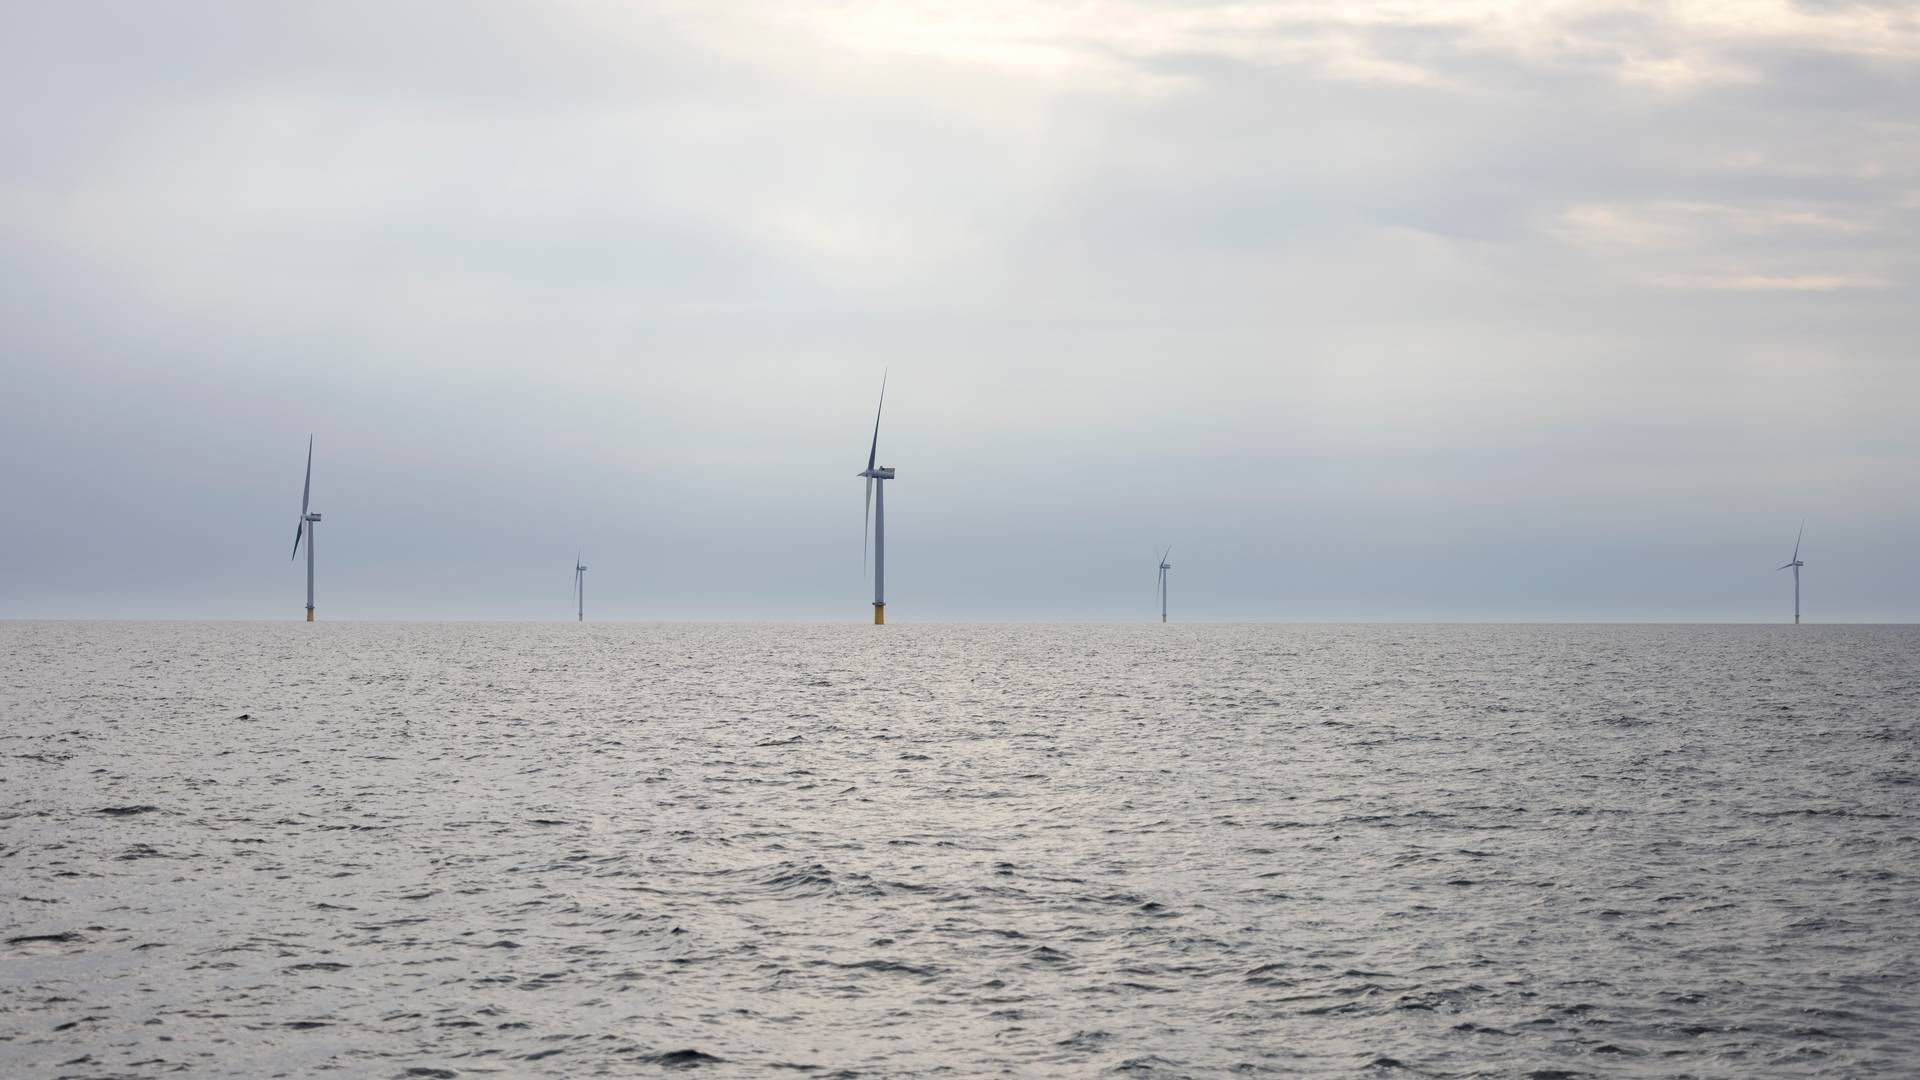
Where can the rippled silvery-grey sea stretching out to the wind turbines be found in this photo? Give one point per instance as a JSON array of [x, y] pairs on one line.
[[957, 850]]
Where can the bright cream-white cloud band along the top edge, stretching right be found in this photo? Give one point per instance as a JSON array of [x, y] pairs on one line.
[[1671, 47]]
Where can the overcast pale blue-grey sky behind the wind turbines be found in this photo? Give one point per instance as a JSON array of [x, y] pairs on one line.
[[1372, 310]]
